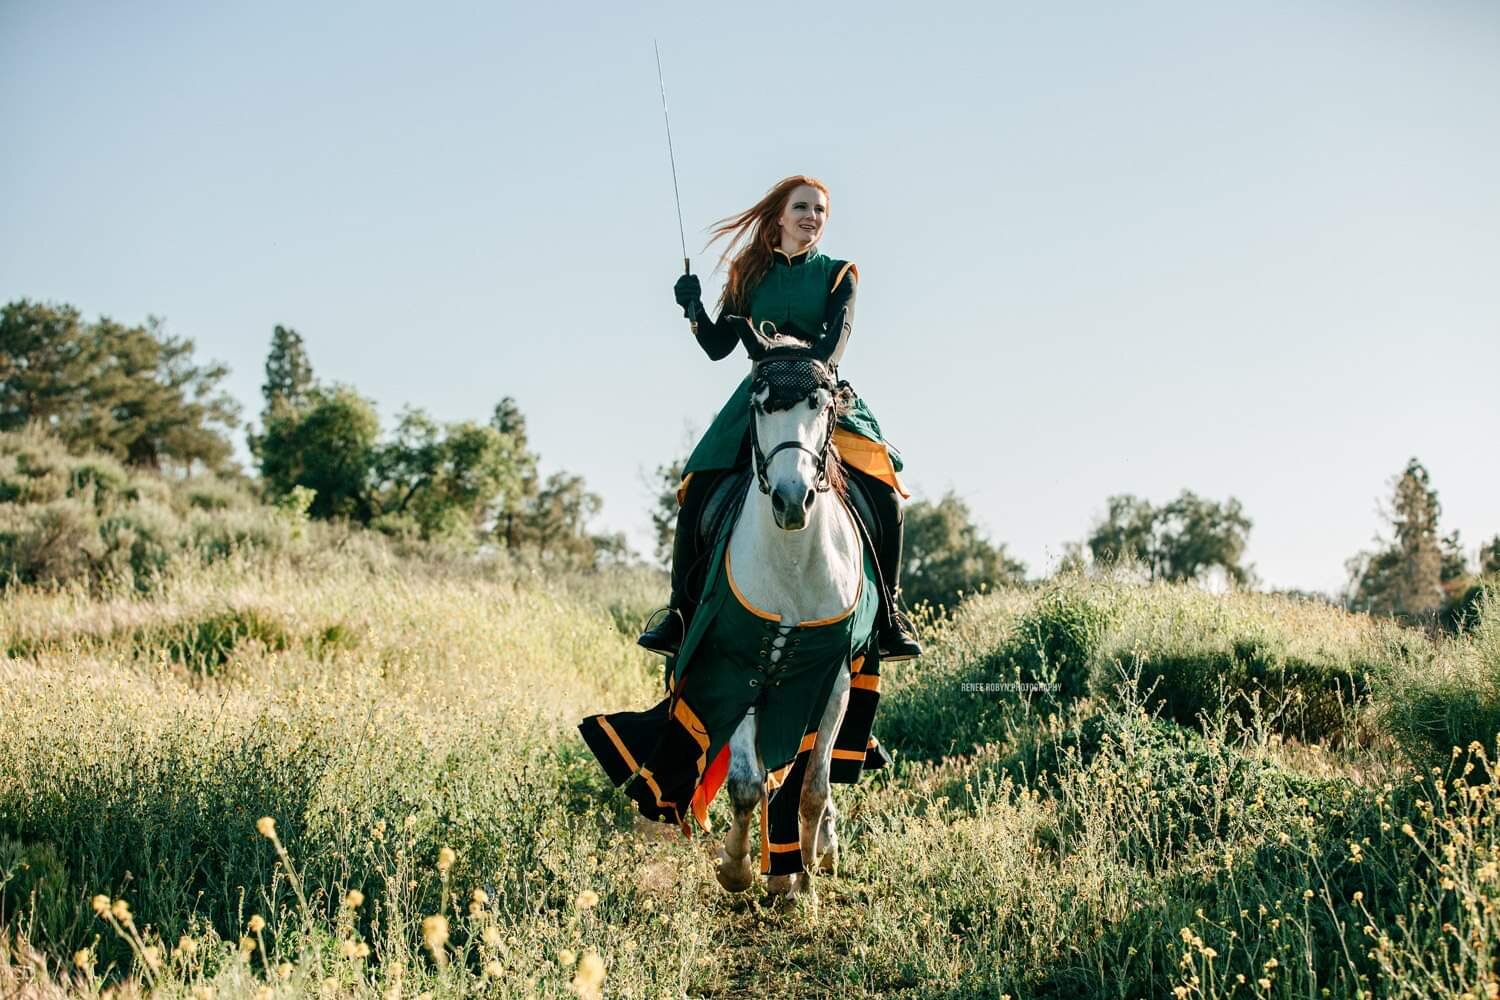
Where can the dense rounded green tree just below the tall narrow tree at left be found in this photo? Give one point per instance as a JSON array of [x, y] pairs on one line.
[[331, 448]]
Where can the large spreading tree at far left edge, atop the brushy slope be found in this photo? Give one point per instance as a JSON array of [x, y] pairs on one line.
[[131, 392]]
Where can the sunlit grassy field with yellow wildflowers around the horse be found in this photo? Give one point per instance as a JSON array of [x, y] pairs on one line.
[[1102, 791]]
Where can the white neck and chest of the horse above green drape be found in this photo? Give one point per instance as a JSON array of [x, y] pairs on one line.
[[799, 575]]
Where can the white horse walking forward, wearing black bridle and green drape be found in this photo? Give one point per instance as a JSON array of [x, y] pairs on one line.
[[796, 552]]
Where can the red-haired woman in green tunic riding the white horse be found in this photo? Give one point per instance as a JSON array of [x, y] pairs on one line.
[[781, 283]]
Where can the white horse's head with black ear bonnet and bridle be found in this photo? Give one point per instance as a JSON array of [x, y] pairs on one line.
[[794, 406]]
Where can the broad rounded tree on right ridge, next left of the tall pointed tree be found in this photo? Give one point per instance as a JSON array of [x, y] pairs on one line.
[[1178, 542]]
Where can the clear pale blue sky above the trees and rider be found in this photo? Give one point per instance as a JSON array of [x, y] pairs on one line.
[[1246, 250]]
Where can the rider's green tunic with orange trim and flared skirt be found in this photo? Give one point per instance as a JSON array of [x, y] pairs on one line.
[[794, 293]]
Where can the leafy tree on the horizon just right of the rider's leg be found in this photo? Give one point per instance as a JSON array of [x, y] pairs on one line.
[[947, 557]]
